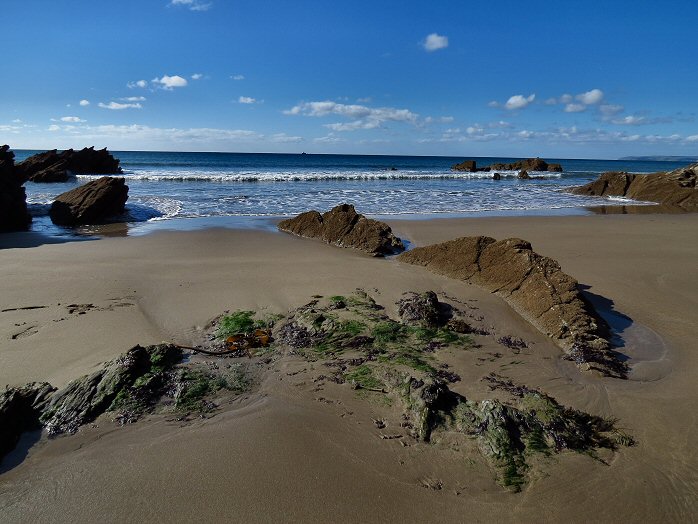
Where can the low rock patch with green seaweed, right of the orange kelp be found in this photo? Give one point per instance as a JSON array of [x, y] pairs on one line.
[[398, 361]]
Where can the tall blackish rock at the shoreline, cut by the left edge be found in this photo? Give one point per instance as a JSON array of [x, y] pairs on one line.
[[13, 198]]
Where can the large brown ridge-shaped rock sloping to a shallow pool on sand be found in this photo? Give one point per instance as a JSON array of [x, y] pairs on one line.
[[534, 286]]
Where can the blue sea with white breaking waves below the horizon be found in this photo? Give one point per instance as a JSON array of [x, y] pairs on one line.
[[184, 190]]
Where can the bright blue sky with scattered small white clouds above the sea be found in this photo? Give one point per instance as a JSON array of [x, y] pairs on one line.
[[502, 78]]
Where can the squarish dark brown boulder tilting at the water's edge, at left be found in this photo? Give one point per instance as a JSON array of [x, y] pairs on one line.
[[92, 203]]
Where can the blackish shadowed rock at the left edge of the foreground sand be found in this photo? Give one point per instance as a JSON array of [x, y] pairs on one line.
[[20, 409]]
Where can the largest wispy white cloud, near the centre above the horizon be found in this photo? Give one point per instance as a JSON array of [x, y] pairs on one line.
[[362, 117]]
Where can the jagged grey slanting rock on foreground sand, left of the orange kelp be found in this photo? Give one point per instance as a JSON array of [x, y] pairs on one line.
[[135, 377]]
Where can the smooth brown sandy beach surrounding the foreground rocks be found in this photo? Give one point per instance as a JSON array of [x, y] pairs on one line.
[[287, 452]]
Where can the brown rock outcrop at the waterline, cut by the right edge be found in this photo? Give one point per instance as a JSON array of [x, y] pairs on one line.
[[676, 188]]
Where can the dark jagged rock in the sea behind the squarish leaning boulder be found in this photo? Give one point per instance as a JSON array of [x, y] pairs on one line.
[[53, 166]]
